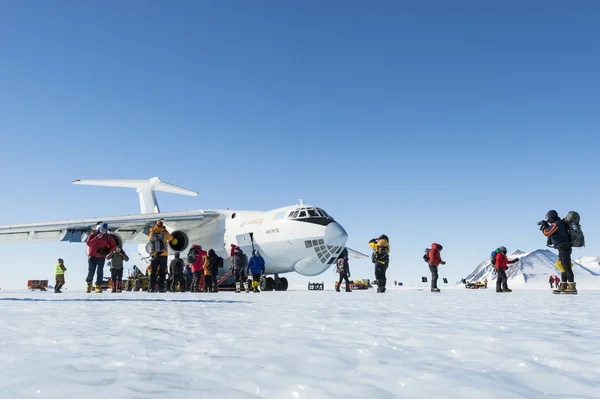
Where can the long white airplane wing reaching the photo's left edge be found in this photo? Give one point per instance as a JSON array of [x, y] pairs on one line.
[[131, 228]]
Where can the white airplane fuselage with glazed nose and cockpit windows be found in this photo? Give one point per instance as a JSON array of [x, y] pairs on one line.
[[306, 245]]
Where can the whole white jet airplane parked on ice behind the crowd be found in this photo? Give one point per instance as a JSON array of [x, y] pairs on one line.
[[297, 238]]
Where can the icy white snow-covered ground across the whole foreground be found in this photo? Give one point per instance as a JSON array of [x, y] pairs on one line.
[[301, 344]]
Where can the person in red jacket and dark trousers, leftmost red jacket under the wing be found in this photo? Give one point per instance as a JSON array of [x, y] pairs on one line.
[[100, 244]]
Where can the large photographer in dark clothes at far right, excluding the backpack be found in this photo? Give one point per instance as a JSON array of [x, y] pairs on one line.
[[557, 231]]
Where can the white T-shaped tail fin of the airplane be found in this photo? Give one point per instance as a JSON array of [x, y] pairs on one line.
[[145, 189]]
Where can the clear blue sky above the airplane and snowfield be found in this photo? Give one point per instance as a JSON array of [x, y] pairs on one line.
[[457, 122]]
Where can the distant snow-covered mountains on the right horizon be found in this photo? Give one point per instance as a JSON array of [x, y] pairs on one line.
[[535, 266]]
